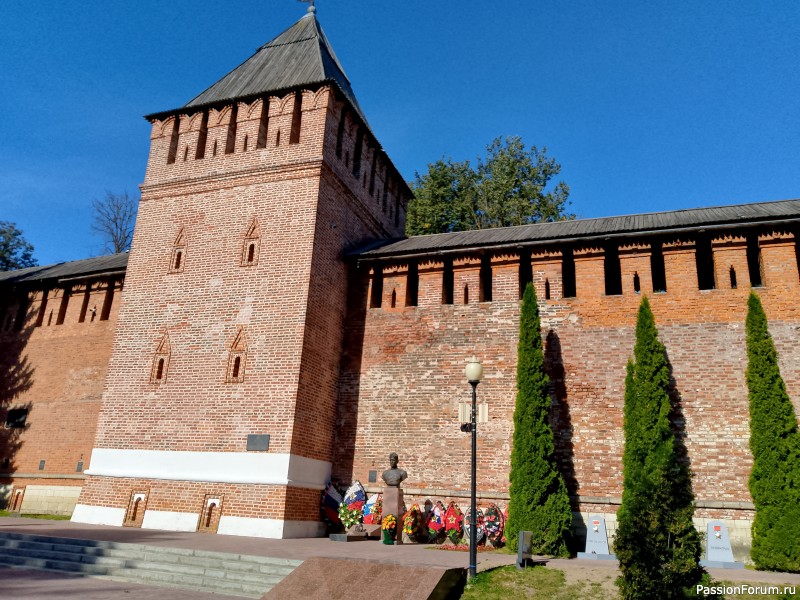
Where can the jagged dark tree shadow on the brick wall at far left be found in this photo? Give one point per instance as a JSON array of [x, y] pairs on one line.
[[16, 378]]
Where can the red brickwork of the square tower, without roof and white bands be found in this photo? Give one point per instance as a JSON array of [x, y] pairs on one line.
[[290, 304]]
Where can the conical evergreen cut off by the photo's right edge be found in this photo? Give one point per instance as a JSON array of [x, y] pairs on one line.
[[775, 443]]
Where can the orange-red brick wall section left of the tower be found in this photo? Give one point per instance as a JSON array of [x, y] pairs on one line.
[[60, 369]]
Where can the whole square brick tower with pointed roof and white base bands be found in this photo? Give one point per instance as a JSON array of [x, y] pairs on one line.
[[219, 405]]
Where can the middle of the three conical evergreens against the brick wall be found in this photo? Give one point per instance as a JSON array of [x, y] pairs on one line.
[[657, 544]]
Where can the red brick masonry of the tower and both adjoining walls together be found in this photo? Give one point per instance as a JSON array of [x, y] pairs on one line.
[[345, 360]]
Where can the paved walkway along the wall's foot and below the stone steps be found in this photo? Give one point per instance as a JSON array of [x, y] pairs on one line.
[[36, 585]]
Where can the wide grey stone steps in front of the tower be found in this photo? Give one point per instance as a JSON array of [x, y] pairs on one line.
[[200, 570]]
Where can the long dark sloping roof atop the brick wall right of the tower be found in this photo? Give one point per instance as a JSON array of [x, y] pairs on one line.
[[563, 231]]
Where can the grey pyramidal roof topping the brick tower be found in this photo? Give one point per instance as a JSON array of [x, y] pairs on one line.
[[301, 56]]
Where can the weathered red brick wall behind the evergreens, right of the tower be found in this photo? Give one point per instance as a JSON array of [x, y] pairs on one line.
[[402, 374]]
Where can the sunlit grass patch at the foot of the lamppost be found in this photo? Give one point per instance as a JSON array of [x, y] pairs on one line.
[[508, 583]]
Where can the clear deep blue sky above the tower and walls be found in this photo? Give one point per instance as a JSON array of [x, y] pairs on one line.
[[647, 106]]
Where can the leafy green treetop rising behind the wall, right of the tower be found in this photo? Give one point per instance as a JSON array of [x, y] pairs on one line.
[[506, 188]]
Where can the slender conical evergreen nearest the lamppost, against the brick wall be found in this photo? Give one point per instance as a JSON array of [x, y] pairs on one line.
[[539, 501]]
